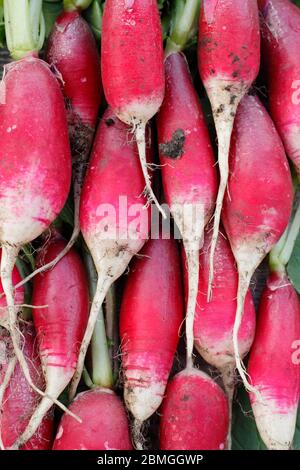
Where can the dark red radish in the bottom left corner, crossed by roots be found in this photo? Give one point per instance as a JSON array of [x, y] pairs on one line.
[[19, 400]]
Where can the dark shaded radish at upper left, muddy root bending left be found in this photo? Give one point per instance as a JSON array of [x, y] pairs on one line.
[[73, 52]]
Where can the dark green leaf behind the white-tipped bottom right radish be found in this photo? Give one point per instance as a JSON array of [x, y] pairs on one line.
[[245, 435]]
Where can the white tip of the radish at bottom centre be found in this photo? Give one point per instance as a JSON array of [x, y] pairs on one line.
[[142, 402]]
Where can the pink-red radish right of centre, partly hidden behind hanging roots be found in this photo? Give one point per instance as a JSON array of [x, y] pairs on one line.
[[214, 320]]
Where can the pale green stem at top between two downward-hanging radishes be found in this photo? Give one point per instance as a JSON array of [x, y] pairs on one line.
[[184, 20]]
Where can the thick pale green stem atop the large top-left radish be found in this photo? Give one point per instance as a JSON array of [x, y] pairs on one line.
[[24, 27]]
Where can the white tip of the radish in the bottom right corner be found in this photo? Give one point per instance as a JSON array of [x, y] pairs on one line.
[[276, 427]]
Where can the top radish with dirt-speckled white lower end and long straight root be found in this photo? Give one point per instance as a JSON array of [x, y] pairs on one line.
[[229, 57]]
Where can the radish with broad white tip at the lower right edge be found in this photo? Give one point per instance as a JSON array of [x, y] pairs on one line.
[[272, 368]]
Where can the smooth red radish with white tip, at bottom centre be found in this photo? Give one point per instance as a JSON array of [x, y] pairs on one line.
[[149, 327]]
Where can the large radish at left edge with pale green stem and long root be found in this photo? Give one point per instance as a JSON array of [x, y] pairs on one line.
[[34, 149]]
